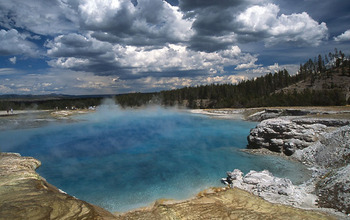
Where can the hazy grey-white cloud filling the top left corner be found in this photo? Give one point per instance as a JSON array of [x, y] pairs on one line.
[[39, 16]]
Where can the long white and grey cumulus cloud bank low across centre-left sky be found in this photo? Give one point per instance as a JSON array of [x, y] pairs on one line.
[[85, 53]]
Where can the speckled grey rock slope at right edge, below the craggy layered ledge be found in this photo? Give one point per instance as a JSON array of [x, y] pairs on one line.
[[330, 157]]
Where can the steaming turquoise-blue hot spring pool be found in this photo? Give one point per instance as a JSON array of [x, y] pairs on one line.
[[122, 160]]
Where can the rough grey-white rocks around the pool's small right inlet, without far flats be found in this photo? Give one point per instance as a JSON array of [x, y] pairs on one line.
[[321, 144]]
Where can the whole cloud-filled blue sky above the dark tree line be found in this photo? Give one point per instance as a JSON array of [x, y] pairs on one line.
[[84, 47]]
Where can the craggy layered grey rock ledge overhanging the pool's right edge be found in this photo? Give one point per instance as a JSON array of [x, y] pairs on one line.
[[288, 134]]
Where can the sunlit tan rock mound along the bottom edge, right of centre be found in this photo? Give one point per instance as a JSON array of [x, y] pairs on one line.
[[228, 204]]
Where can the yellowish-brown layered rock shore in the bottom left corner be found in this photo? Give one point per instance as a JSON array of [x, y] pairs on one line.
[[26, 195]]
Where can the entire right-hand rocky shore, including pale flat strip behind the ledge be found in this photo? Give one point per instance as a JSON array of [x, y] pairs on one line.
[[316, 137]]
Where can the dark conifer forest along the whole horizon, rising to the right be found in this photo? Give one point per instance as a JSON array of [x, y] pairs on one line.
[[263, 91]]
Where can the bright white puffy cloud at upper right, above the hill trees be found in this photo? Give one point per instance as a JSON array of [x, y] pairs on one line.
[[264, 22]]
